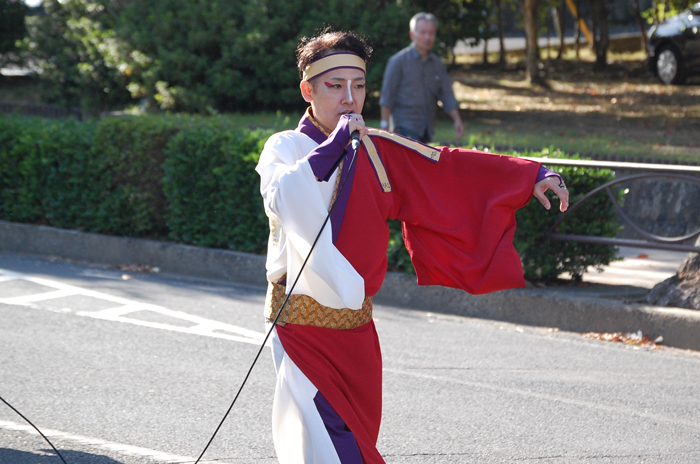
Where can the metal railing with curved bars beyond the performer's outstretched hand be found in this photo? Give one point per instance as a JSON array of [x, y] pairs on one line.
[[689, 174]]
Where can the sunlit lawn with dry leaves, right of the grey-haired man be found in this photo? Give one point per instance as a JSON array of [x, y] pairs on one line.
[[623, 111]]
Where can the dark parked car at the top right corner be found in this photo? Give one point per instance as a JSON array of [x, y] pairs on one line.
[[674, 47]]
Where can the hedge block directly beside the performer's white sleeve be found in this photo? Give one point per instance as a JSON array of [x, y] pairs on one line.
[[213, 190]]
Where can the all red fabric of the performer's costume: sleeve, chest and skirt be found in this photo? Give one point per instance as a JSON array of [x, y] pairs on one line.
[[458, 219]]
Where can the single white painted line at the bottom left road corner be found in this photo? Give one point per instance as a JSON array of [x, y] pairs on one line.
[[119, 448]]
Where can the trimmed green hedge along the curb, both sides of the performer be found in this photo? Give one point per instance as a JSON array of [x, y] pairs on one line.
[[191, 180]]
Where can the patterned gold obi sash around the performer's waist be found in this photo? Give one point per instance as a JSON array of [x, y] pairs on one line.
[[304, 310]]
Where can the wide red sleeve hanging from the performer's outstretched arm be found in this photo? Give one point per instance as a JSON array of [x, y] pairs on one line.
[[458, 216]]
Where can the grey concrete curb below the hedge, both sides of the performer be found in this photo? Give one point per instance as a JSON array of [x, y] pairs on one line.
[[542, 307]]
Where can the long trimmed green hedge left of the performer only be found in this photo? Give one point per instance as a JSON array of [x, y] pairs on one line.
[[136, 177]]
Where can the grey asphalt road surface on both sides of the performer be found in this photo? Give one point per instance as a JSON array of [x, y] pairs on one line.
[[141, 371]]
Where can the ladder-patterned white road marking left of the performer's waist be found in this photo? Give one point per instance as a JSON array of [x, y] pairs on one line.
[[124, 307]]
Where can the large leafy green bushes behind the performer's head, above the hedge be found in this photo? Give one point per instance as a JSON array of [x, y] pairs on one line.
[[198, 56]]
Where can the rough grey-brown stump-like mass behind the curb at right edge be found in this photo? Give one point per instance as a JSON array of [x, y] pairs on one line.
[[683, 289]]
